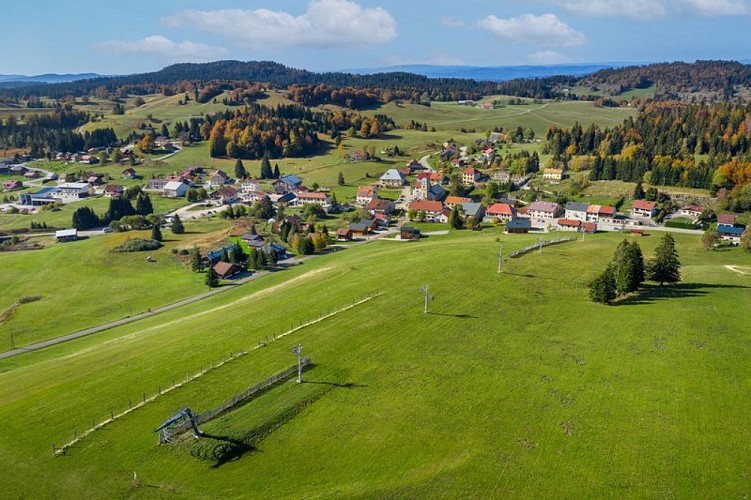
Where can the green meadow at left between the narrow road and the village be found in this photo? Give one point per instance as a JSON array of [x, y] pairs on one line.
[[83, 284]]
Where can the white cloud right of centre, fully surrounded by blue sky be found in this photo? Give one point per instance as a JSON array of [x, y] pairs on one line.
[[545, 30]]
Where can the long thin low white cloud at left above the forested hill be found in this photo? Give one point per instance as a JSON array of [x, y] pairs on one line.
[[160, 46]]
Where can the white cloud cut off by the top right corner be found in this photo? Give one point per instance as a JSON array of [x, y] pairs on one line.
[[655, 9]]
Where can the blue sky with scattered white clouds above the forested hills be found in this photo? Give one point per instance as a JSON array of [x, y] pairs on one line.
[[68, 36]]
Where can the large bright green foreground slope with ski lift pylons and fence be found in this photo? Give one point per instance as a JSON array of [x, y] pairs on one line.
[[514, 385]]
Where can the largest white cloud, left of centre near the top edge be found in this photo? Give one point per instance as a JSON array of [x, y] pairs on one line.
[[325, 23]]
